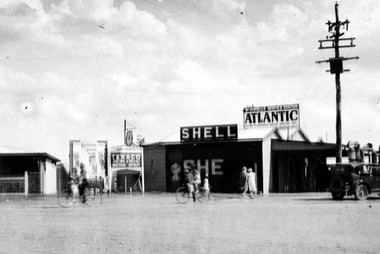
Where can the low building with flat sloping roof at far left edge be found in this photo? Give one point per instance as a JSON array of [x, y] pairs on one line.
[[27, 172]]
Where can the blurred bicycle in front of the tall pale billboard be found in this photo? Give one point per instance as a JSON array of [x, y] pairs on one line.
[[93, 196]]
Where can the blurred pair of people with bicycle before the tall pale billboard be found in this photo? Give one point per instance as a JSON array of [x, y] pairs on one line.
[[78, 183]]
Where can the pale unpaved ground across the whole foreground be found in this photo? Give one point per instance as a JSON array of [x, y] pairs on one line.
[[155, 223]]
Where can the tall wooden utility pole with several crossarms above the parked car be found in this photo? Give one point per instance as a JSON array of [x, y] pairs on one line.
[[336, 67]]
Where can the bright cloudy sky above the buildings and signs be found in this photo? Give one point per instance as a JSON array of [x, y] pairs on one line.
[[75, 69]]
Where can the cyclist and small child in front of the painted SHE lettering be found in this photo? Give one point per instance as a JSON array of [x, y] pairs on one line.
[[193, 180]]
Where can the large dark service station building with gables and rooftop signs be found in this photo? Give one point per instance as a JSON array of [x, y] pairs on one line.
[[283, 157]]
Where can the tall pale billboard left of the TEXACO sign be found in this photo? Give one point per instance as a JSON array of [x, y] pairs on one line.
[[92, 154]]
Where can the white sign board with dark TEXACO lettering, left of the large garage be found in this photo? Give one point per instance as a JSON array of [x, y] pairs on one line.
[[126, 158]]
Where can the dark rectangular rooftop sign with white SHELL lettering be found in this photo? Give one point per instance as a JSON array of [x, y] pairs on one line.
[[209, 133]]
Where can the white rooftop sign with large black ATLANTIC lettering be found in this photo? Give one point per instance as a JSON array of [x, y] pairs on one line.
[[279, 115]]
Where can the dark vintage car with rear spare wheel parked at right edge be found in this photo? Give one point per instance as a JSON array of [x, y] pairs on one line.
[[354, 178]]
